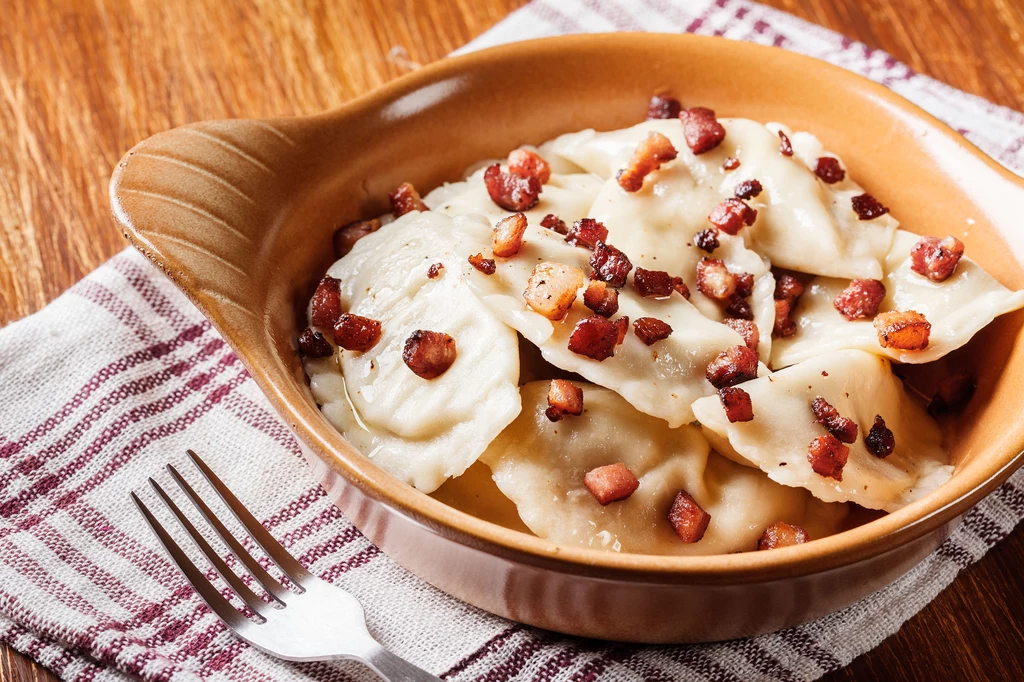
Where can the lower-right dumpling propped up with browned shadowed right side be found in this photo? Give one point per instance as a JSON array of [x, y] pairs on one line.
[[860, 387]]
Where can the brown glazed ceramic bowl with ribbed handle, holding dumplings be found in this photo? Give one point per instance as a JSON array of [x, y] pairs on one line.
[[240, 216]]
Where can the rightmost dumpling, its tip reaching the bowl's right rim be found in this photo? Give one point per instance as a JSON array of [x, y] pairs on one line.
[[957, 309]]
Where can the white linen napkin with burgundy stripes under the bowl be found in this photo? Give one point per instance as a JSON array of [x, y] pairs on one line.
[[121, 375]]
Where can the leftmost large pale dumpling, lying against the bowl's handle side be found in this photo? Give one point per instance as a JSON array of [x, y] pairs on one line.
[[421, 432]]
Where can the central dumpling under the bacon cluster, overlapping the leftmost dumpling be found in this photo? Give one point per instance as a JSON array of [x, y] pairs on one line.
[[662, 380]]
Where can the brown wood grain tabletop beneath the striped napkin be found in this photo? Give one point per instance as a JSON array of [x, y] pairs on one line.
[[82, 81]]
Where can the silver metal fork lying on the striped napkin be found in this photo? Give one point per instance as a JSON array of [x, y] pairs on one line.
[[318, 622]]
